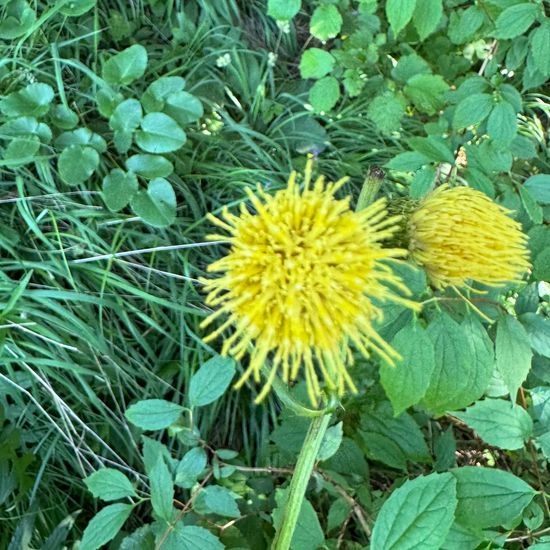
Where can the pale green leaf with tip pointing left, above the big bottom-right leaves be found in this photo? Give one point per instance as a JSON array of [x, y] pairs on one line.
[[499, 423]]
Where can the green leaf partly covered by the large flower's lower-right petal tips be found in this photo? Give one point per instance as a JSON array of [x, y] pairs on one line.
[[407, 382]]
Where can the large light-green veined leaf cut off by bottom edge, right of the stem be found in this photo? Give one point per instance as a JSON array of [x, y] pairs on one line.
[[417, 515]]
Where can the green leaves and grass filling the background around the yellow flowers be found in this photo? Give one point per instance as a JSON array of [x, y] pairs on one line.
[[122, 124]]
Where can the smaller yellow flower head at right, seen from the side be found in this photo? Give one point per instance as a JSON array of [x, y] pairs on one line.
[[460, 234]]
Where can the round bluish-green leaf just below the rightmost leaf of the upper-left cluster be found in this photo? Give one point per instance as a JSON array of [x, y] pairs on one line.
[[160, 134]]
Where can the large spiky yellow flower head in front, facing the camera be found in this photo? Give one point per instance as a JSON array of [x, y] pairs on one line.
[[298, 281]]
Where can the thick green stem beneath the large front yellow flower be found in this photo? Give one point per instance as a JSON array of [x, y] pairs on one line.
[[300, 480]]
